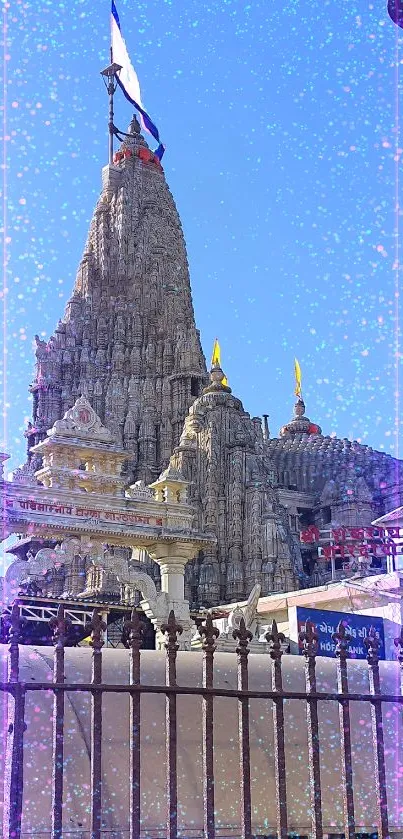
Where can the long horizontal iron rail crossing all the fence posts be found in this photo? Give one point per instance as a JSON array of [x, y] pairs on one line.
[[89, 687]]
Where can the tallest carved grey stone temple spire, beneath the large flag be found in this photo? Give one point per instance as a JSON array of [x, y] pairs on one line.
[[128, 339]]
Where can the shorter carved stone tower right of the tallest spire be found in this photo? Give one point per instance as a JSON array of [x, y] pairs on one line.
[[221, 453]]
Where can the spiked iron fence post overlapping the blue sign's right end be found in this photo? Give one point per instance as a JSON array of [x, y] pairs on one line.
[[372, 644]]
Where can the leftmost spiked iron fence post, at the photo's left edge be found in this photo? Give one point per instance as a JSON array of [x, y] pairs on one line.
[[13, 774]]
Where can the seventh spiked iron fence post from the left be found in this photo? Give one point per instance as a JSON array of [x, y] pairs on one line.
[[243, 636]]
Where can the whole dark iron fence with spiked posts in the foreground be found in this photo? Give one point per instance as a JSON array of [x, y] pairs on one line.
[[18, 690]]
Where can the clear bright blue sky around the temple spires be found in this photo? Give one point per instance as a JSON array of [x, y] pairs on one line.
[[281, 126]]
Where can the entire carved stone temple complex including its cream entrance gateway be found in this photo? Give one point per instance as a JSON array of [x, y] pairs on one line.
[[146, 480]]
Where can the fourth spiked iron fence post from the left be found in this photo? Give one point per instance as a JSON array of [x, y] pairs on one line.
[[134, 629]]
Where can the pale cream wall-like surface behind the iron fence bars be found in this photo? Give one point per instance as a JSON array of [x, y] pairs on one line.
[[36, 665]]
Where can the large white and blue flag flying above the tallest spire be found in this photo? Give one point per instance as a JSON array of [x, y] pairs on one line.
[[127, 79]]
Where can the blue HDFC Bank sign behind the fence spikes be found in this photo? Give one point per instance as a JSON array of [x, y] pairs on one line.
[[326, 624]]
